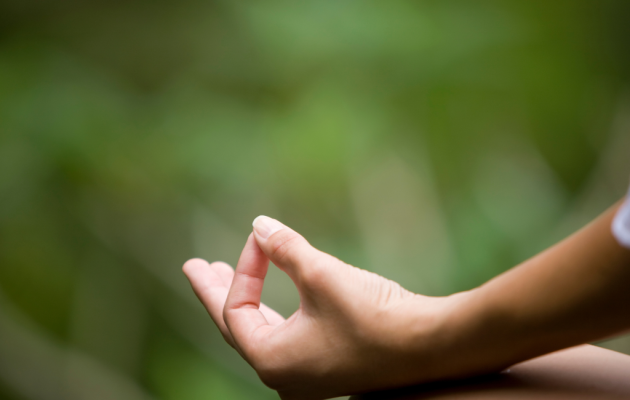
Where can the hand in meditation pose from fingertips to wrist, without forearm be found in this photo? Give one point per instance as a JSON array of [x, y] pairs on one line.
[[354, 330]]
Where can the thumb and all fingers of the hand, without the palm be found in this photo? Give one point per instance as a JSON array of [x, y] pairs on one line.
[[233, 297]]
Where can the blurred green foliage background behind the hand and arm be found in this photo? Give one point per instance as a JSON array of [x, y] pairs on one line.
[[437, 143]]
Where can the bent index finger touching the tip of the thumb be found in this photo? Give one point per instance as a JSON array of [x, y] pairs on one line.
[[242, 312]]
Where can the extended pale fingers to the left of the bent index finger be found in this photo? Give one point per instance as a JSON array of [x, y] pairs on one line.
[[210, 287]]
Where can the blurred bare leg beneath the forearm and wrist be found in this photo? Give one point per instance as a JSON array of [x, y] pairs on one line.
[[584, 372]]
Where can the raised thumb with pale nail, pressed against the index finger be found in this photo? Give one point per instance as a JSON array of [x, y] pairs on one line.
[[290, 252]]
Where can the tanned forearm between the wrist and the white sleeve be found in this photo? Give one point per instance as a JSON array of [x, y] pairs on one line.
[[575, 292]]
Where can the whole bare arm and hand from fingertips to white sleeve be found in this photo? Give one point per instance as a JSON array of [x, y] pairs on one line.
[[356, 331]]
